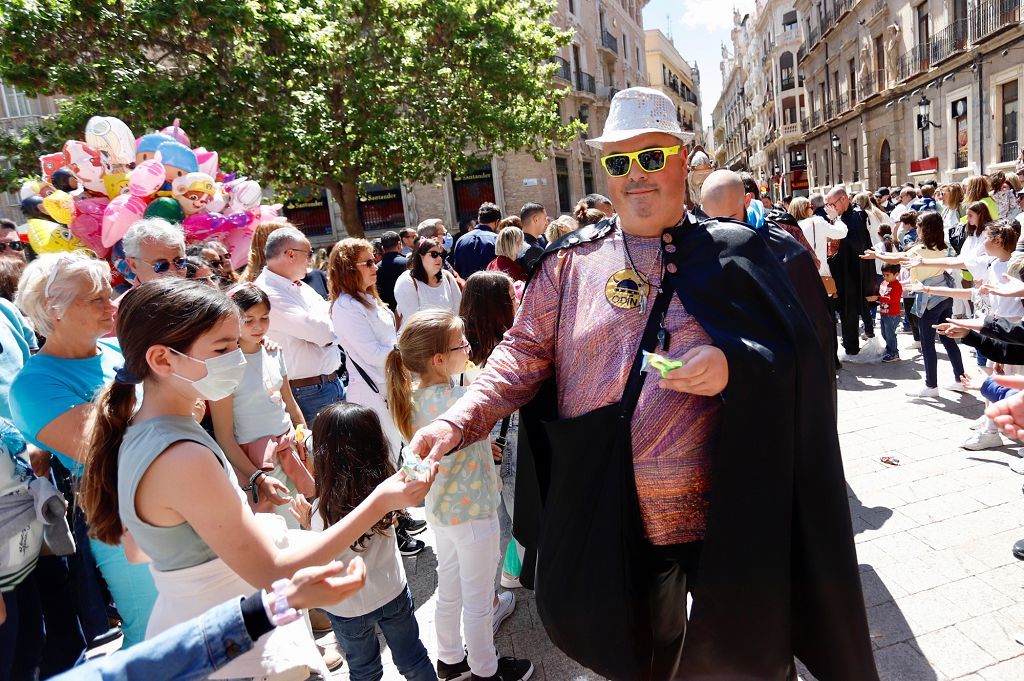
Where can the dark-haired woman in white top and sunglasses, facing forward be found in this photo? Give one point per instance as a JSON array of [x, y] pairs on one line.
[[426, 285]]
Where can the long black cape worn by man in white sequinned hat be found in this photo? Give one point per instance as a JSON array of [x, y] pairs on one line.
[[779, 573]]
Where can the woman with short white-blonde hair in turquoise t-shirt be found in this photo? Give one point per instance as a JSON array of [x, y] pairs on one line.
[[68, 299]]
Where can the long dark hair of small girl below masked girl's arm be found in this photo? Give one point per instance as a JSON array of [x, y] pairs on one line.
[[352, 457]]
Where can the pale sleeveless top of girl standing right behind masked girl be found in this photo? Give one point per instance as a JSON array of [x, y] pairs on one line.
[[258, 406]]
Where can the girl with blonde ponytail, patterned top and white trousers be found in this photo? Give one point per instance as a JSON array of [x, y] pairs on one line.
[[462, 508]]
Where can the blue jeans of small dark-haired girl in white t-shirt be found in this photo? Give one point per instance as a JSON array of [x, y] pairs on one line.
[[358, 637]]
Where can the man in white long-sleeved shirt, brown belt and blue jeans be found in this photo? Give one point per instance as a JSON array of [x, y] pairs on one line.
[[301, 323]]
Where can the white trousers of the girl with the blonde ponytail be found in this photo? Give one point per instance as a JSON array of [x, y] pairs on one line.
[[467, 555]]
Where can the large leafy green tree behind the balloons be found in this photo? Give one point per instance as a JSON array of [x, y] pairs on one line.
[[297, 94]]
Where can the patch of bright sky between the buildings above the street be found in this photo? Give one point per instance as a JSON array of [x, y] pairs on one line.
[[699, 29]]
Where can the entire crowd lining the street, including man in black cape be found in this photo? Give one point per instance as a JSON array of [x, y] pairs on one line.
[[208, 453]]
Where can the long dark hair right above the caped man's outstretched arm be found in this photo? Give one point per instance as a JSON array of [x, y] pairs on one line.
[[488, 312]]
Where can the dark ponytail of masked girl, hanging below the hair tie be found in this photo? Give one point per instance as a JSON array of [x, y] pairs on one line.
[[114, 408]]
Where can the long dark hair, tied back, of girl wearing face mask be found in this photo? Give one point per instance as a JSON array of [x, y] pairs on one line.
[[166, 312]]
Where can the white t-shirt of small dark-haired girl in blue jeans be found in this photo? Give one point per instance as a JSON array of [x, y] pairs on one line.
[[386, 574]]
